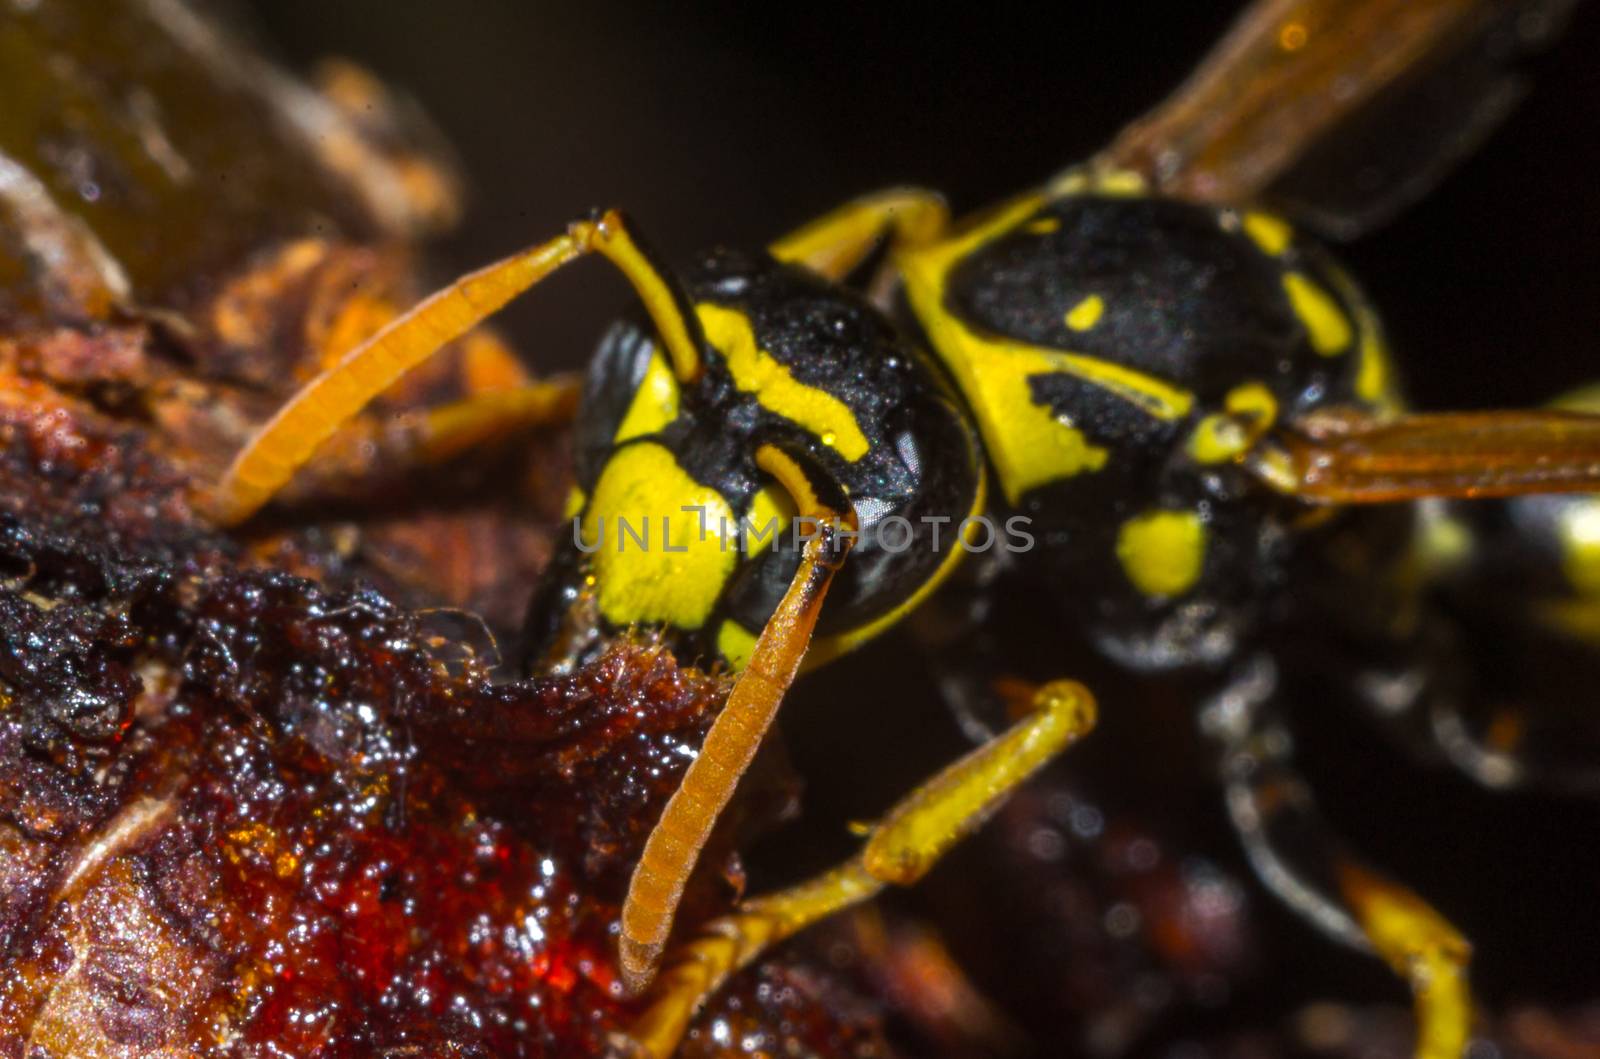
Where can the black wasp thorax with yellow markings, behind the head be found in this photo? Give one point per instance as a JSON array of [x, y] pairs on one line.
[[1122, 354]]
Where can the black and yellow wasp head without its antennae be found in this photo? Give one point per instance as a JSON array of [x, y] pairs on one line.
[[799, 366]]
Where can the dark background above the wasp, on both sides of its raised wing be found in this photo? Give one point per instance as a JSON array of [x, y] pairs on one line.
[[732, 122]]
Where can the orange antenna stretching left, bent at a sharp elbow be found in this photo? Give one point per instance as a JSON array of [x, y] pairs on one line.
[[330, 401]]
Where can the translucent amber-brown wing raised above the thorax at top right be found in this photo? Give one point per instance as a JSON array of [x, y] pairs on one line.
[[1343, 111]]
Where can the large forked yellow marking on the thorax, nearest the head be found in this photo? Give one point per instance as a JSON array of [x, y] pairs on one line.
[[1028, 442]]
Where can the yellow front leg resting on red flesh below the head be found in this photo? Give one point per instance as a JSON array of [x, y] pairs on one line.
[[902, 849]]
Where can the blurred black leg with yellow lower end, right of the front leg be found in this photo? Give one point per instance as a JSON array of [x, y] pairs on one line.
[[1306, 866]]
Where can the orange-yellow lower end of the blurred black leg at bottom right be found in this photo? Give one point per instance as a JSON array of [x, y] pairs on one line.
[[1423, 949]]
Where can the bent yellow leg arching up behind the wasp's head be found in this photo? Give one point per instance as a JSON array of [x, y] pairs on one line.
[[838, 242]]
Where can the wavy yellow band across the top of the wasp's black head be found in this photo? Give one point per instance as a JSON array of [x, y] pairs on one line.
[[756, 372]]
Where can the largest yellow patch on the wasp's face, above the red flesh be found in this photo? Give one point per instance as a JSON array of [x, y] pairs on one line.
[[676, 573]]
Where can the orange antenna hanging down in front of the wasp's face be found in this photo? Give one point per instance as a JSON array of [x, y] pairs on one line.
[[686, 825]]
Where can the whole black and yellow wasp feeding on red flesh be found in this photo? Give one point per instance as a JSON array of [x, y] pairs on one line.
[[1164, 378]]
